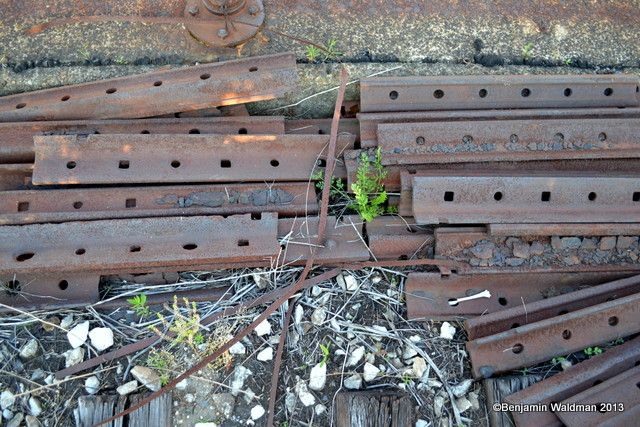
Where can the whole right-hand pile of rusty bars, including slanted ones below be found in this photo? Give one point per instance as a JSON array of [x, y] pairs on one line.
[[533, 172]]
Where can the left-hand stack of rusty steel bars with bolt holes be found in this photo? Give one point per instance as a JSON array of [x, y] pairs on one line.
[[142, 174]]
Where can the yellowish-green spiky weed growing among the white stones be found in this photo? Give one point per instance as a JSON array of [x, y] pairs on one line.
[[185, 328]]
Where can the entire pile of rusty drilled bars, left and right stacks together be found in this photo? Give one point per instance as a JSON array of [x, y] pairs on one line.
[[163, 172]]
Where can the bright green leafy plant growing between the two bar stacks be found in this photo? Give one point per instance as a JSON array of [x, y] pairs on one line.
[[369, 187]]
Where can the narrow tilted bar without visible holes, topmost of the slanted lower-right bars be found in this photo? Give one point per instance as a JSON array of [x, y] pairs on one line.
[[564, 301]]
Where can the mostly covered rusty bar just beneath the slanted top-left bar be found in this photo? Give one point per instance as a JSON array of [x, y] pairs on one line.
[[17, 138]]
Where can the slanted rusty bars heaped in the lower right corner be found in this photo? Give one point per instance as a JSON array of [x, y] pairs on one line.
[[601, 390]]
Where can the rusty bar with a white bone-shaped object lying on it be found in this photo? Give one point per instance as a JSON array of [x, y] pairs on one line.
[[434, 296]]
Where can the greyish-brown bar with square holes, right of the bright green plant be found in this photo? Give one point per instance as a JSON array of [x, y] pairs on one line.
[[491, 198]]
